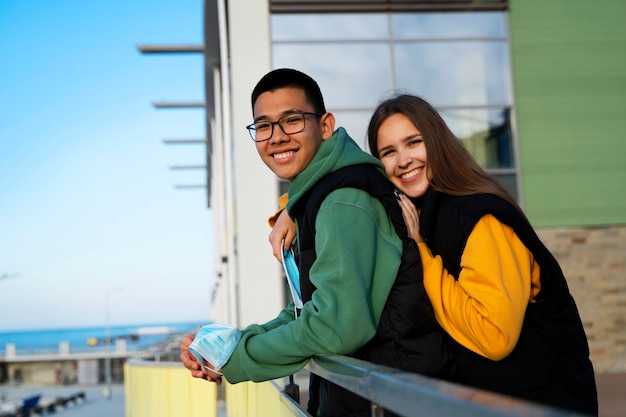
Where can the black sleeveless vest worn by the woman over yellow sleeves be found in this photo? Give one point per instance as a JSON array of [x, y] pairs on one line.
[[550, 363]]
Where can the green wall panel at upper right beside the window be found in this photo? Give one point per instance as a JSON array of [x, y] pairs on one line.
[[569, 78]]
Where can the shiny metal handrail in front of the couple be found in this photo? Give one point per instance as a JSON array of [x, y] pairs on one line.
[[410, 394]]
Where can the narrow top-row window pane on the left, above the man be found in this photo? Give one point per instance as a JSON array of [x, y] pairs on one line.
[[312, 27]]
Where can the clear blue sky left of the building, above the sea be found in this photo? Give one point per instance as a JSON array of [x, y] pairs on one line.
[[87, 200]]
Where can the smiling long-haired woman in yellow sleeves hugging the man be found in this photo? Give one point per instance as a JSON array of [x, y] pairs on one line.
[[495, 288]]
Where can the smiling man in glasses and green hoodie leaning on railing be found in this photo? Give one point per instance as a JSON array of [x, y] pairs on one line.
[[347, 277]]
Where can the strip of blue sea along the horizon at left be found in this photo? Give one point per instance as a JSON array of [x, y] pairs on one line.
[[82, 339]]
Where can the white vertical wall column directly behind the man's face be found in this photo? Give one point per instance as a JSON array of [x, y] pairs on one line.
[[258, 274]]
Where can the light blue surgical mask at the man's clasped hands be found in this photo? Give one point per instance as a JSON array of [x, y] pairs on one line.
[[215, 343]]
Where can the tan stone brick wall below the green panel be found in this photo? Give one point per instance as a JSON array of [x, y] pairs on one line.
[[594, 262]]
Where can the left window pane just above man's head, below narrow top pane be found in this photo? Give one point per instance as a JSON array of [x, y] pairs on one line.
[[350, 75]]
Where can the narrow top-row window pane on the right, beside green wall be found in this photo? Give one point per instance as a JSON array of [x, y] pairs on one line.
[[448, 25]]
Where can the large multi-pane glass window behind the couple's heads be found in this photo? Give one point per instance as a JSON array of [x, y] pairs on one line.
[[458, 61]]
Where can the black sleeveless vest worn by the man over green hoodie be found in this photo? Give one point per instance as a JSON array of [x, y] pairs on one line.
[[408, 336]]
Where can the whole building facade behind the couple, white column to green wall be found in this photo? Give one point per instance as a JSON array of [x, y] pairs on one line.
[[535, 90]]
